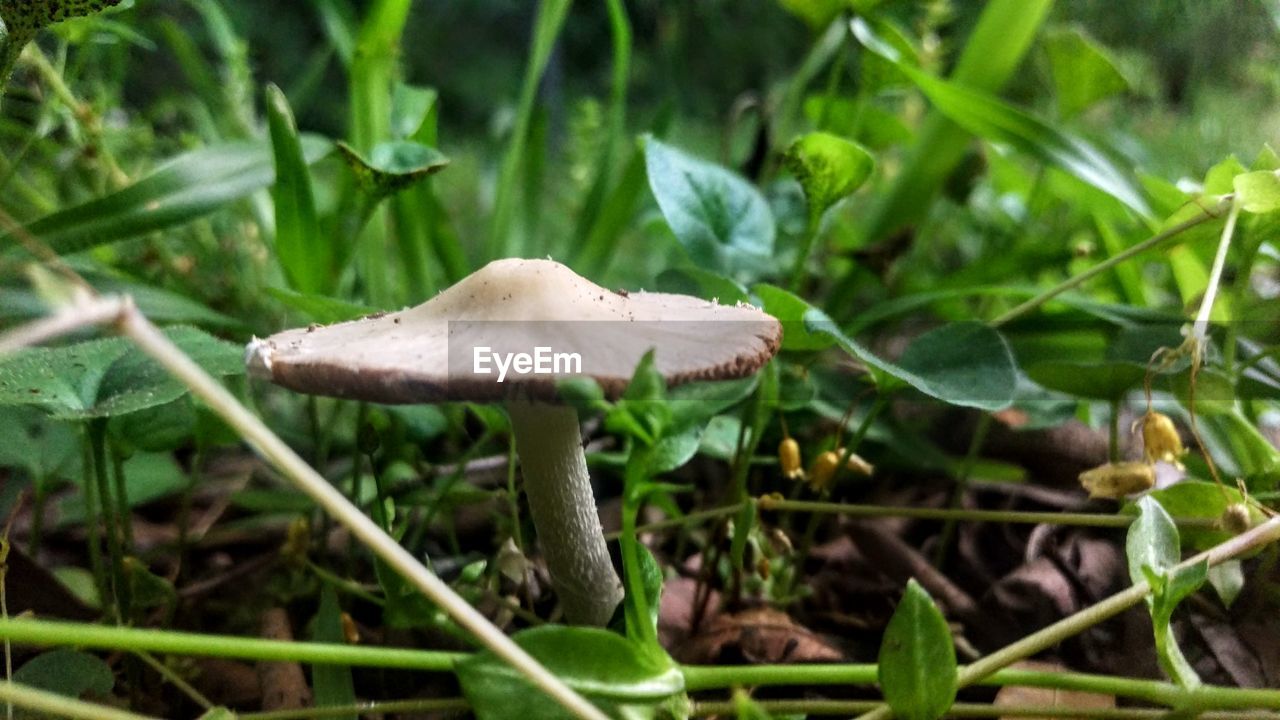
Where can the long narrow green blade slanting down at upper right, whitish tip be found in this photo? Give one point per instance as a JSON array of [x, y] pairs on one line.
[[988, 117]]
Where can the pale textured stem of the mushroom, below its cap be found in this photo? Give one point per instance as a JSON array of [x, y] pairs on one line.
[[564, 508]]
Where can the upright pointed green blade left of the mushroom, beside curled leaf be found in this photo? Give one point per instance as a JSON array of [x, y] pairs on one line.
[[304, 253]]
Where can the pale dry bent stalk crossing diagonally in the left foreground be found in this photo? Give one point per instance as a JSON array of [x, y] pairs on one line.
[[121, 315]]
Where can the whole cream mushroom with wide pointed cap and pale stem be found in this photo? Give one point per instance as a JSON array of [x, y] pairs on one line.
[[510, 332]]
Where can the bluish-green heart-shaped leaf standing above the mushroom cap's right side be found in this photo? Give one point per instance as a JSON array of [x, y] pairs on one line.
[[721, 220]]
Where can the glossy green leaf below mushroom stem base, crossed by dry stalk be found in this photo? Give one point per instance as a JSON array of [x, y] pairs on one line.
[[610, 671]]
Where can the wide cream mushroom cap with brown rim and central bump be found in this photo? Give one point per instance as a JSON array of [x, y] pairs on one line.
[[509, 307]]
